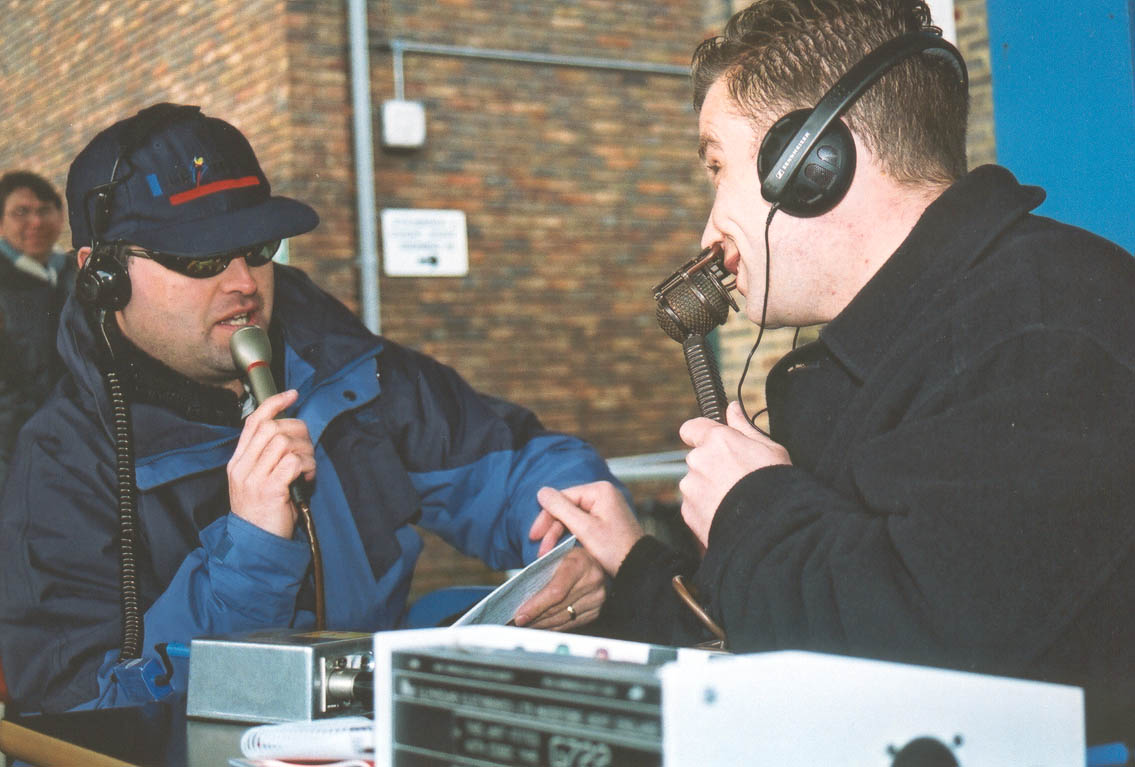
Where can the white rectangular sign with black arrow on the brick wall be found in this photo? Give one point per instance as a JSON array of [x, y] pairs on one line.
[[425, 243]]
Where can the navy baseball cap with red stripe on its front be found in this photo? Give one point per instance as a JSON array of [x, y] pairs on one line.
[[175, 181]]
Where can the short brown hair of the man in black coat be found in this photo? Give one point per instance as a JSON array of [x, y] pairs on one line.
[[784, 55]]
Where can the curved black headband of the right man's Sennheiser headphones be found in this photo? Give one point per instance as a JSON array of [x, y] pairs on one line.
[[844, 94]]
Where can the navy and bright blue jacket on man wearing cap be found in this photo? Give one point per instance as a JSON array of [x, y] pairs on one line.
[[400, 440]]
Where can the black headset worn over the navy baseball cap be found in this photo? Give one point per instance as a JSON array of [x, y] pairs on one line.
[[104, 283]]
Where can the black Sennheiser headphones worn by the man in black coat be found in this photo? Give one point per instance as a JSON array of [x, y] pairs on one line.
[[808, 159]]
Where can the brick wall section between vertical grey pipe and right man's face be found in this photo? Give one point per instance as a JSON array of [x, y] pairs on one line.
[[582, 190]]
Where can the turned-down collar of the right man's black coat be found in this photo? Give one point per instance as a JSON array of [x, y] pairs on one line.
[[949, 238]]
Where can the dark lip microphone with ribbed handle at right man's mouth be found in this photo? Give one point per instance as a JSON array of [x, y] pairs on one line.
[[690, 305]]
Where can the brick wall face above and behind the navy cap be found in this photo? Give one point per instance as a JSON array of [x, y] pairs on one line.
[[70, 70]]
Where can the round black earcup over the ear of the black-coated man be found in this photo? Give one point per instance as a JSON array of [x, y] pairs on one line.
[[826, 174]]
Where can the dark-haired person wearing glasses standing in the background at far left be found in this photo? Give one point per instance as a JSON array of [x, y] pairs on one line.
[[35, 281]]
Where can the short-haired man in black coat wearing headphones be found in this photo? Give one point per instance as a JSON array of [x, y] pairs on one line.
[[948, 476]]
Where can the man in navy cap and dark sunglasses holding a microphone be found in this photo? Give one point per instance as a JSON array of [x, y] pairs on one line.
[[175, 229]]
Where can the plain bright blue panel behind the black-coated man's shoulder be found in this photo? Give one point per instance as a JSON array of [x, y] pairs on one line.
[[1064, 107]]
